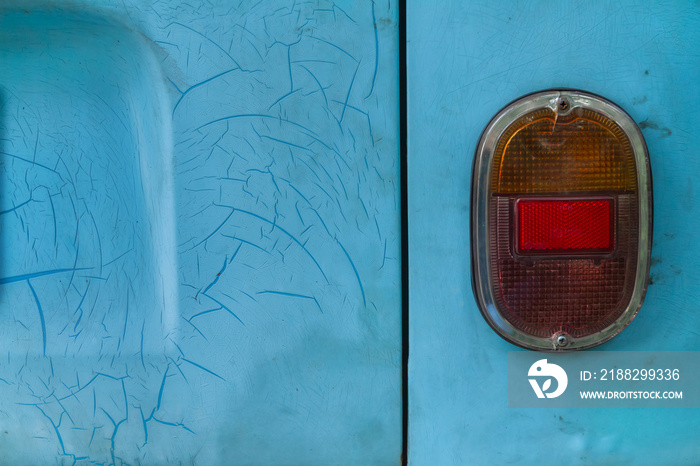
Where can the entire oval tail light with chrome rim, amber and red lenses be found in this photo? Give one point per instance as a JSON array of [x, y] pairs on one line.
[[561, 221]]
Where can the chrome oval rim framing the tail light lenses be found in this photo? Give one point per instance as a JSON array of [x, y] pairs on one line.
[[480, 222]]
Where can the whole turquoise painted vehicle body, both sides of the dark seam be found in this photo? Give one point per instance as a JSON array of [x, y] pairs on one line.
[[200, 228]]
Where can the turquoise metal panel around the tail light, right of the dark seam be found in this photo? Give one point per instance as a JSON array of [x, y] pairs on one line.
[[466, 60]]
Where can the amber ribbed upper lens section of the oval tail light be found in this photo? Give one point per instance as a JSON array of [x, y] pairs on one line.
[[581, 152]]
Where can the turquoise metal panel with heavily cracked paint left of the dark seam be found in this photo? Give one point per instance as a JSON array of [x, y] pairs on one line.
[[199, 220]]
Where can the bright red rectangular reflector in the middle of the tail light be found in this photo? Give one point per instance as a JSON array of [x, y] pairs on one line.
[[555, 226]]
